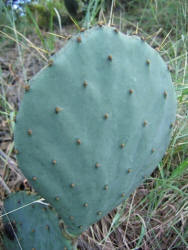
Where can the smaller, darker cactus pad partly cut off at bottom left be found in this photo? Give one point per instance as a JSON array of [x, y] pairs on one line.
[[36, 226]]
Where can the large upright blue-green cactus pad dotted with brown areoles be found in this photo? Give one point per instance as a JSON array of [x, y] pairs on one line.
[[94, 123]]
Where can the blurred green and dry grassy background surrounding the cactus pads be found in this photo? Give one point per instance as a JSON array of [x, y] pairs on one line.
[[155, 216]]
